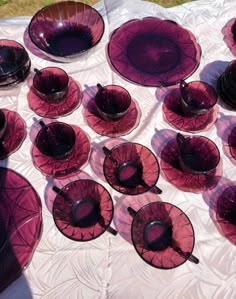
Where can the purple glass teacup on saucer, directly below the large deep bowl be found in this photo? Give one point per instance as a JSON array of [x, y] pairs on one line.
[[51, 84]]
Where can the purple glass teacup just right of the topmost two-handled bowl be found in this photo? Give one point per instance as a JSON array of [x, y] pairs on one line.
[[197, 154]]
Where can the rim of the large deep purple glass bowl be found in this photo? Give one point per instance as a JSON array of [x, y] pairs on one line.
[[59, 4]]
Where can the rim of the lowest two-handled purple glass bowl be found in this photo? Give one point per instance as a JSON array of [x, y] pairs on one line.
[[175, 207]]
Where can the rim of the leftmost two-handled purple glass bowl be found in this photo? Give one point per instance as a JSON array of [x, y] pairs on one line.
[[104, 230]]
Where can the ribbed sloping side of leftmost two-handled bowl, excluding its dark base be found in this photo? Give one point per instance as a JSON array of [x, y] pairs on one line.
[[83, 189]]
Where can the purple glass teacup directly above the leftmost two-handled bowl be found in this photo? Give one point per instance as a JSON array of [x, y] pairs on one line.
[[55, 140]]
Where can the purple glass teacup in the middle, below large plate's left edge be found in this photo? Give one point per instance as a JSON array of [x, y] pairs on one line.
[[112, 101]]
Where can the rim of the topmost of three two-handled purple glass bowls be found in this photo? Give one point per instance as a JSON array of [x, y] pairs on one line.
[[139, 144]]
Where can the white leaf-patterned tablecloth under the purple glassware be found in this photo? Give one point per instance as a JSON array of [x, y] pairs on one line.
[[109, 266]]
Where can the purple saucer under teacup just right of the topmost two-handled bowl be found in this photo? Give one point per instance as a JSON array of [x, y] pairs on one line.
[[184, 181]]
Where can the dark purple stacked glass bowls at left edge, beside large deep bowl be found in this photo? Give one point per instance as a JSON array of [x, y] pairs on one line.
[[14, 63]]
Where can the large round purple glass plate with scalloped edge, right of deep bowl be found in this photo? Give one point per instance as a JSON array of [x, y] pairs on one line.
[[153, 52]]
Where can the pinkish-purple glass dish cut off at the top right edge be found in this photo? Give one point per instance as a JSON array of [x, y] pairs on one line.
[[229, 32]]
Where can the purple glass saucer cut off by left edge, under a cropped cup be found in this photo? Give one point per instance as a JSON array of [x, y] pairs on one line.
[[14, 135]]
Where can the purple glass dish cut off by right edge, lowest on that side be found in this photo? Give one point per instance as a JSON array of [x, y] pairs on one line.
[[226, 212]]
